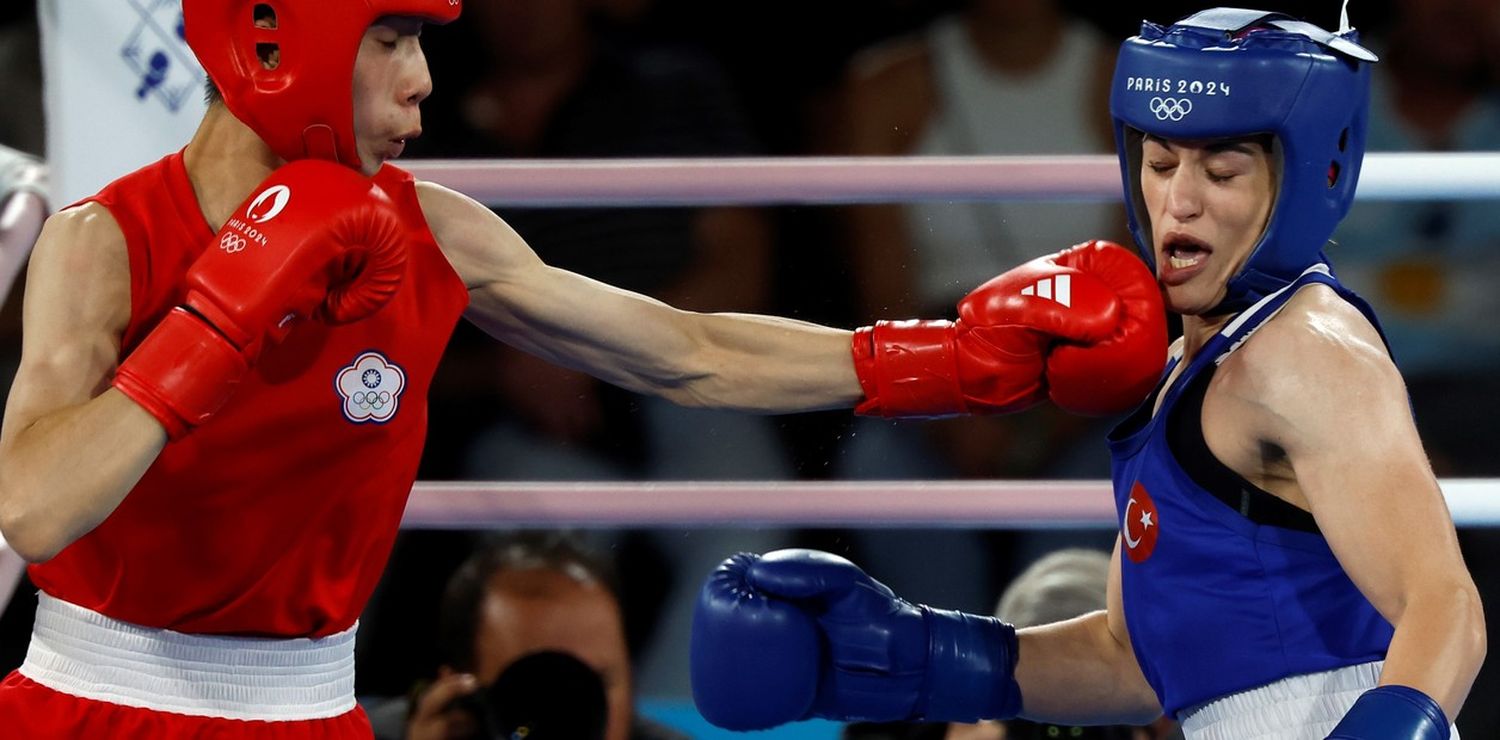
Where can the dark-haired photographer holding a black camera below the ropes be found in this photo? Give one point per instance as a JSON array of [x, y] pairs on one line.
[[526, 598]]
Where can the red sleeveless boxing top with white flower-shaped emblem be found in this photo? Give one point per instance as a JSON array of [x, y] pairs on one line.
[[278, 516]]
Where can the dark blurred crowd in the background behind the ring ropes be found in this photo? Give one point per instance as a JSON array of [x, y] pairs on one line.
[[629, 79]]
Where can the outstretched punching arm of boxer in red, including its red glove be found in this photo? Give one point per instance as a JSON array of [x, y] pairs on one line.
[[992, 359]]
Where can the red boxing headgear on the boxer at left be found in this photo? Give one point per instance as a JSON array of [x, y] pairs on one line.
[[305, 107]]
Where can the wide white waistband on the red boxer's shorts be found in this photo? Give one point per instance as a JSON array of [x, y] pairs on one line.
[[88, 655]]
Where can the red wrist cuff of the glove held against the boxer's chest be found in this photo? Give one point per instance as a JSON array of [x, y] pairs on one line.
[[182, 373]]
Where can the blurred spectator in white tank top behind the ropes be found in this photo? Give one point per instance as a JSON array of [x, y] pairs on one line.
[[1000, 77]]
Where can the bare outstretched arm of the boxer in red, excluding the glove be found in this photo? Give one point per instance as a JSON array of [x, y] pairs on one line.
[[736, 361]]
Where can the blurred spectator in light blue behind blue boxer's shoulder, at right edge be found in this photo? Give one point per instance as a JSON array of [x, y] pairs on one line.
[[1430, 268]]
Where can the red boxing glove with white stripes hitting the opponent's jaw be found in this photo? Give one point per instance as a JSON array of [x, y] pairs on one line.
[[995, 358]]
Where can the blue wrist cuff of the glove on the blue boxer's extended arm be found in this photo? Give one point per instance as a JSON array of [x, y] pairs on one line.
[[971, 669]]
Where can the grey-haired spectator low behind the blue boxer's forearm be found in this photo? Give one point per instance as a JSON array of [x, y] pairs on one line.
[[1058, 588]]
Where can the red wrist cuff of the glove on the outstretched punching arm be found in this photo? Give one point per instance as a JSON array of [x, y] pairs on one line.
[[908, 370]]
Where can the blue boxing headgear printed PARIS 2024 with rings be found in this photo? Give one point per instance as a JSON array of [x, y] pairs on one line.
[[1231, 73]]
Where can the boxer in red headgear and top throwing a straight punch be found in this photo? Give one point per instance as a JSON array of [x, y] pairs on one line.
[[221, 399]]
